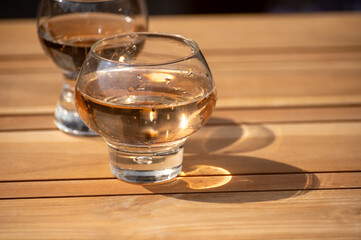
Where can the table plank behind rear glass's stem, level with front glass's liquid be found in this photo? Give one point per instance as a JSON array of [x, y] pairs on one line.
[[236, 88]]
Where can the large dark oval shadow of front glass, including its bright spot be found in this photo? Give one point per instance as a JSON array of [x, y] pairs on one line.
[[259, 180]]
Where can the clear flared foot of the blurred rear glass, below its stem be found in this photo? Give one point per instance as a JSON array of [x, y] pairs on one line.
[[69, 121]]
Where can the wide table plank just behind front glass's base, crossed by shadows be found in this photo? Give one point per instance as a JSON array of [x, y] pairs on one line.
[[245, 149]]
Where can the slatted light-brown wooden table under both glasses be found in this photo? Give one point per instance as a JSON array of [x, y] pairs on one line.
[[280, 158]]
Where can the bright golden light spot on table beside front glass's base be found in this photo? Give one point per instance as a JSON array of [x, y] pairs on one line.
[[206, 183]]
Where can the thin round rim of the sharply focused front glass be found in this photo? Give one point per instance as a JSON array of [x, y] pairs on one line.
[[189, 42]]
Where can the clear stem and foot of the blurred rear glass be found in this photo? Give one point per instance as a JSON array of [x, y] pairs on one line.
[[66, 117]]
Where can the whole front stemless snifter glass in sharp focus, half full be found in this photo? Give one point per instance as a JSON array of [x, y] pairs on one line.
[[145, 94]]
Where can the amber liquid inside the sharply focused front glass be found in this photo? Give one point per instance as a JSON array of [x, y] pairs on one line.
[[145, 107]]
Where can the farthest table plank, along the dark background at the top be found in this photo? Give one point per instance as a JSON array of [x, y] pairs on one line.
[[224, 31]]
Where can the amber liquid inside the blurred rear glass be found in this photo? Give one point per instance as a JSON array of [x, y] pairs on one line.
[[68, 38]]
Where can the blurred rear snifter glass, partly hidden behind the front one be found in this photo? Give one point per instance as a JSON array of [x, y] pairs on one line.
[[68, 28]]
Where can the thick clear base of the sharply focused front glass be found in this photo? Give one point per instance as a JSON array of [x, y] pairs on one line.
[[151, 166]]
